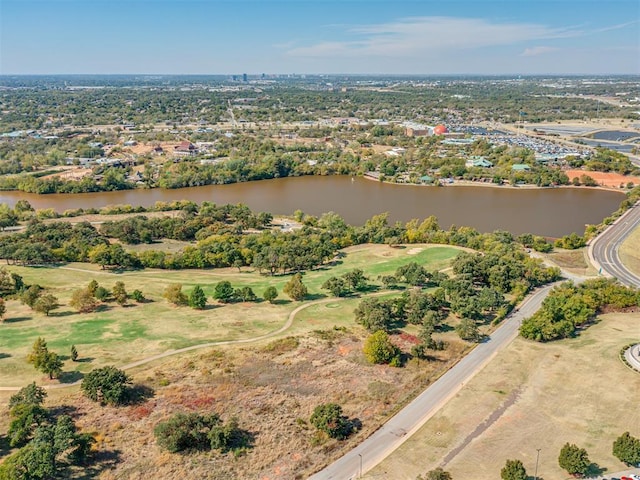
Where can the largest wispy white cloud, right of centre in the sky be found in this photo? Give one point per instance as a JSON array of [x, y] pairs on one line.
[[425, 36]]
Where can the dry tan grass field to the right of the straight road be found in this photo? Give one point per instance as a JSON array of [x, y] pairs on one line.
[[532, 396]]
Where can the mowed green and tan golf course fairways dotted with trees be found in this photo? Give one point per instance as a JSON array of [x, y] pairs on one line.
[[120, 335]]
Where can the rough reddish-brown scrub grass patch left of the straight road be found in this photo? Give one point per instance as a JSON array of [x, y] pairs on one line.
[[273, 397]]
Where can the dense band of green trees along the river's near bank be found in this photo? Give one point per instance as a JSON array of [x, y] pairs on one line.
[[232, 236]]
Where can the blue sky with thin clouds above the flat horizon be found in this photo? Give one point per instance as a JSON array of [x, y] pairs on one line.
[[320, 36]]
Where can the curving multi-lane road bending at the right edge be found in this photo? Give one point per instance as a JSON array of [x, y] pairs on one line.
[[603, 251]]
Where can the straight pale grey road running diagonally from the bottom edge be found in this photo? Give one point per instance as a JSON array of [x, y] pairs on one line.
[[399, 428]]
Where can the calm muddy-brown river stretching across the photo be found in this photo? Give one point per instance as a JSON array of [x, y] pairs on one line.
[[550, 212]]
